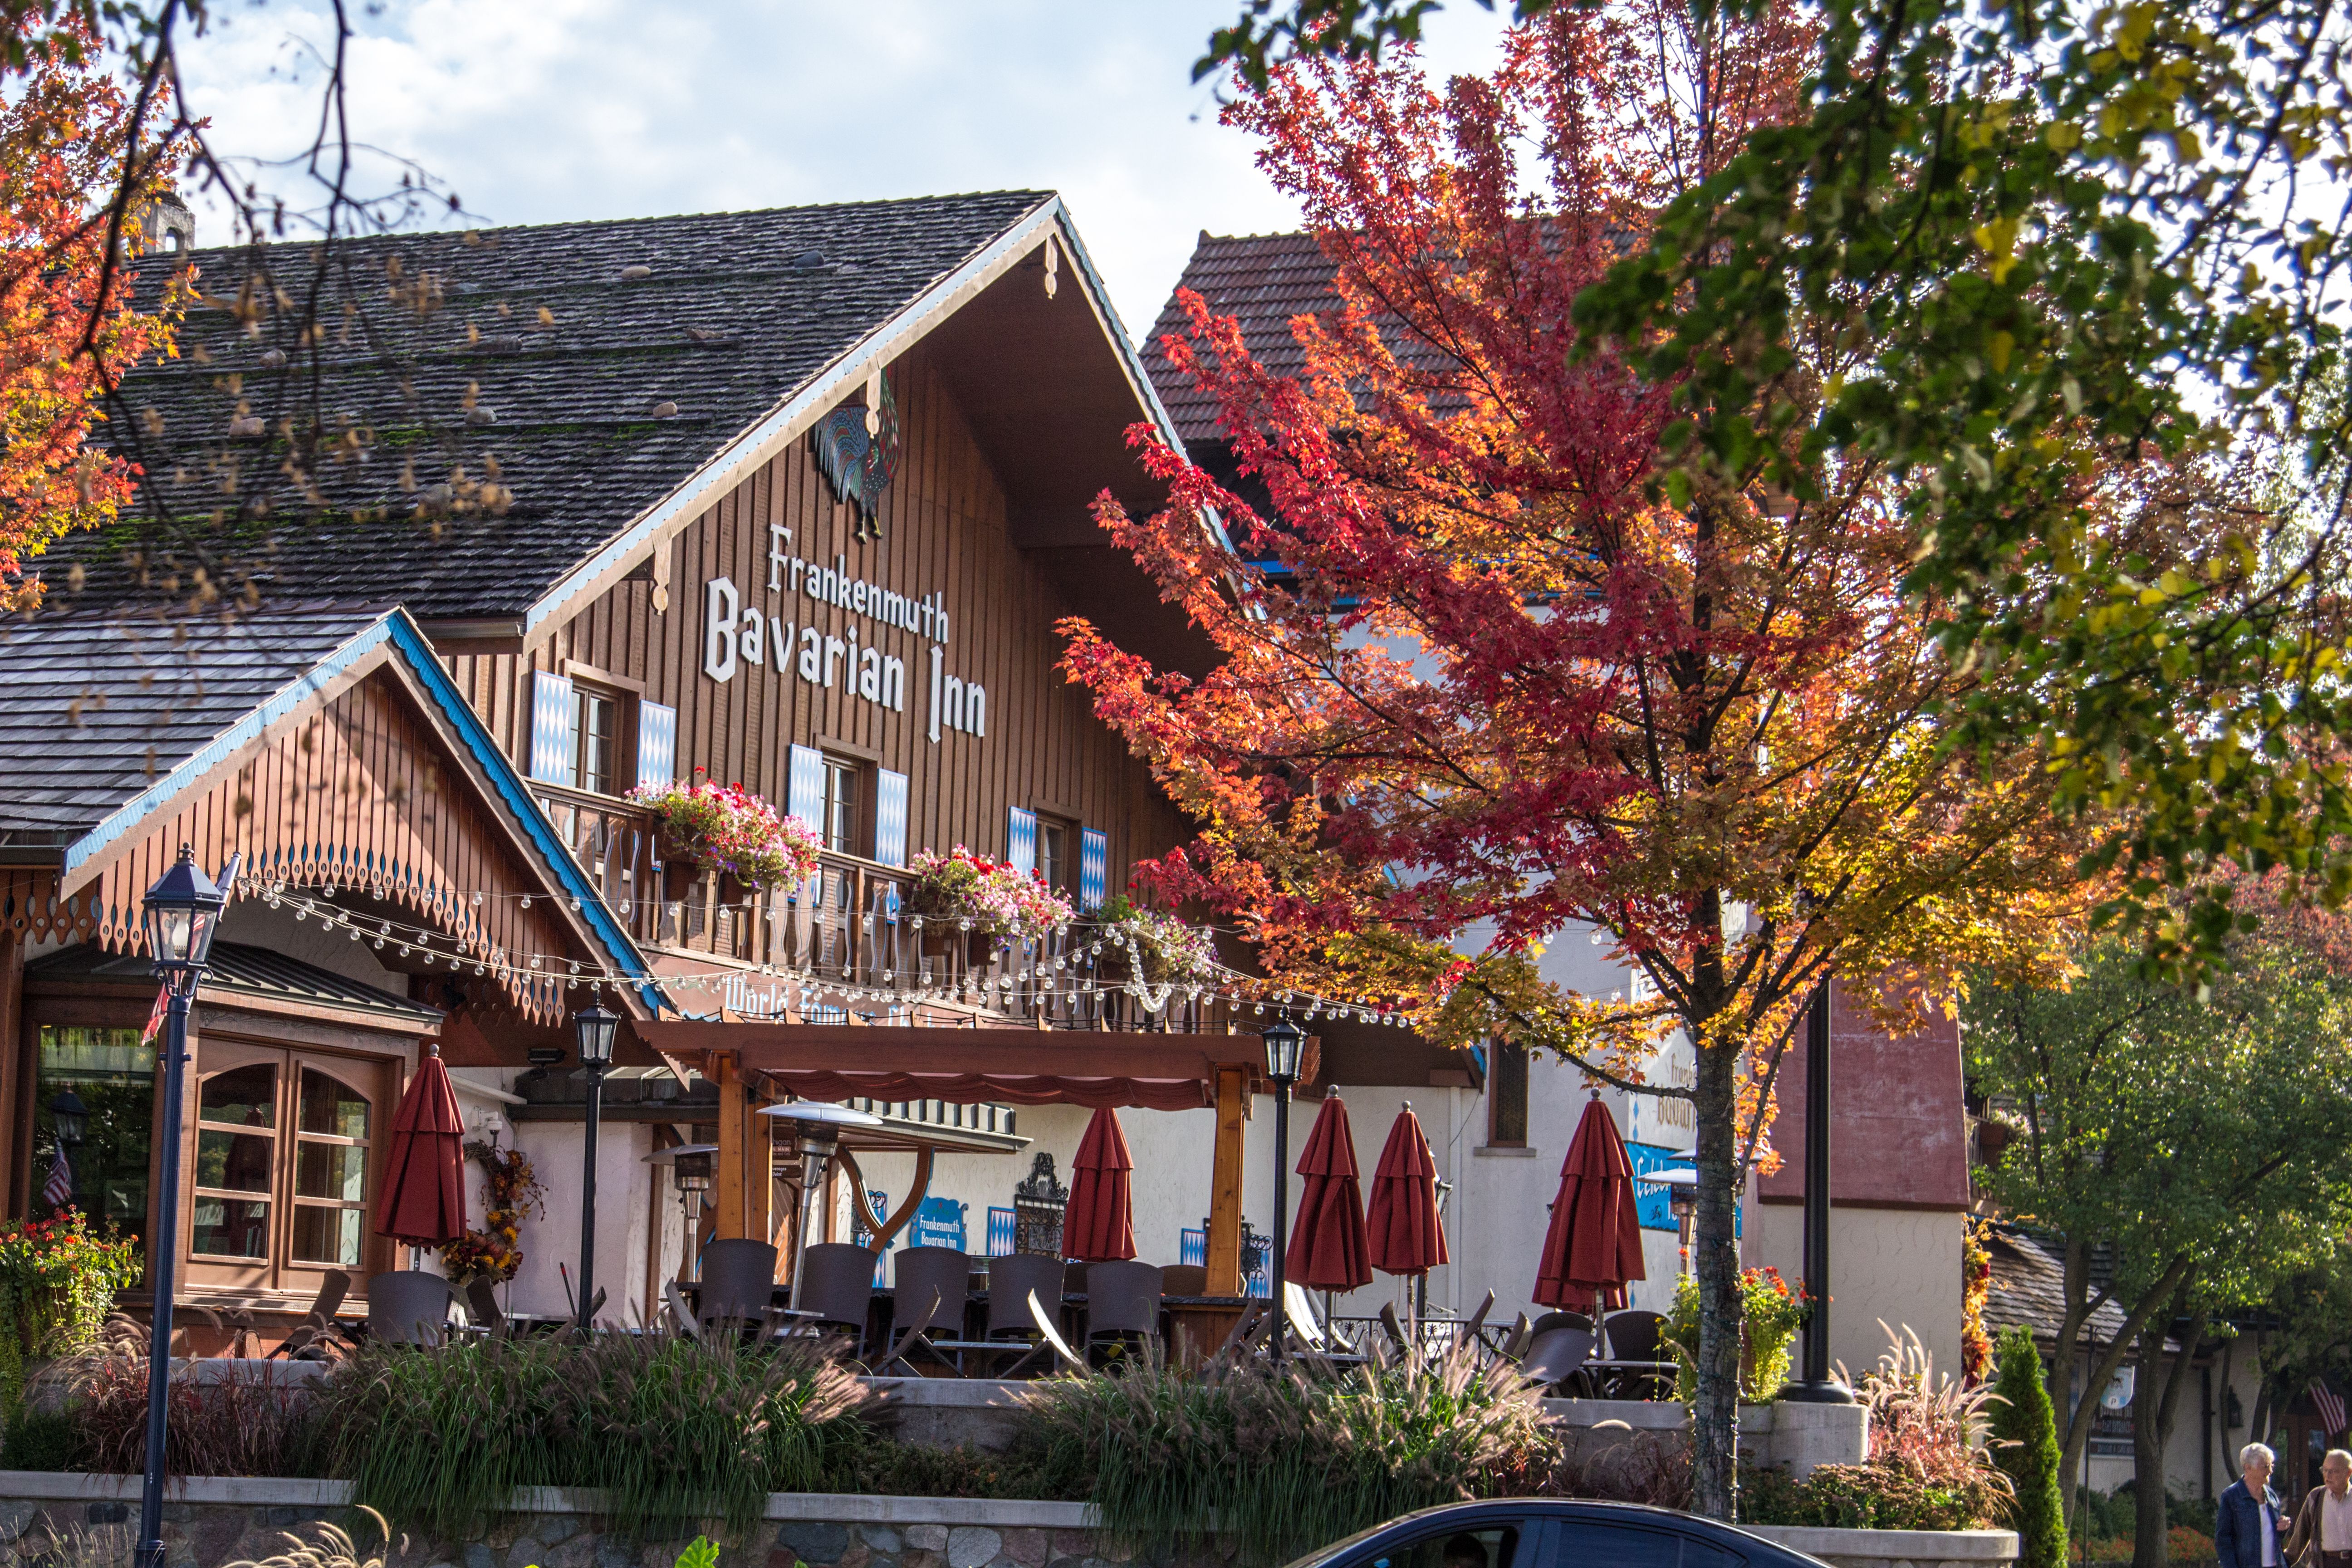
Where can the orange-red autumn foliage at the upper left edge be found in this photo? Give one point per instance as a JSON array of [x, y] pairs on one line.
[[67, 319]]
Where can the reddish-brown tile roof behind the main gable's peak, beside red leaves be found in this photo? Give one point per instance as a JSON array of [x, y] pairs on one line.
[[1262, 281]]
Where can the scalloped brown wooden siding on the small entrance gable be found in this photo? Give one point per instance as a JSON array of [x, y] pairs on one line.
[[356, 796]]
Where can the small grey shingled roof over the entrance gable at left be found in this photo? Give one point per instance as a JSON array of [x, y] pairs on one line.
[[100, 706]]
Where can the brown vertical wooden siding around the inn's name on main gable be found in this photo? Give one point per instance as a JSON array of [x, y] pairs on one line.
[[944, 530]]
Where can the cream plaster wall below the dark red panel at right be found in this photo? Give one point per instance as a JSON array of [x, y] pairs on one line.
[[1887, 1266]]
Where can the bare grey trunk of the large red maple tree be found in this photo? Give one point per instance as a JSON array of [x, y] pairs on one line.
[[1716, 1409]]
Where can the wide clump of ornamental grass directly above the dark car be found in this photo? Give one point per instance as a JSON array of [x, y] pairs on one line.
[[1285, 1461]]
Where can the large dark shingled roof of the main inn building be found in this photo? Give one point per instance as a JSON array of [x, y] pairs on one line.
[[582, 368]]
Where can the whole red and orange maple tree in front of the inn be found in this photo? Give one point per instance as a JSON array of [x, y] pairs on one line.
[[1499, 685]]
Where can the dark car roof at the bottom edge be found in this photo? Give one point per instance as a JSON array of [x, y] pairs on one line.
[[1553, 1534]]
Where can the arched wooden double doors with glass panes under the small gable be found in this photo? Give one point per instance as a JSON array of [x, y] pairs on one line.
[[286, 1158]]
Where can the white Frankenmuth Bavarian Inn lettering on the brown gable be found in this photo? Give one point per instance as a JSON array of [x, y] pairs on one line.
[[737, 634]]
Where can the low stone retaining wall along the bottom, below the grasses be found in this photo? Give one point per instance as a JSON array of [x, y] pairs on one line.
[[220, 1520]]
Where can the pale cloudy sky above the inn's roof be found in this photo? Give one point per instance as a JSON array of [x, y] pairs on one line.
[[603, 109]]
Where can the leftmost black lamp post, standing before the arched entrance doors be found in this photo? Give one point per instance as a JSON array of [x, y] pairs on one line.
[[182, 916]]
